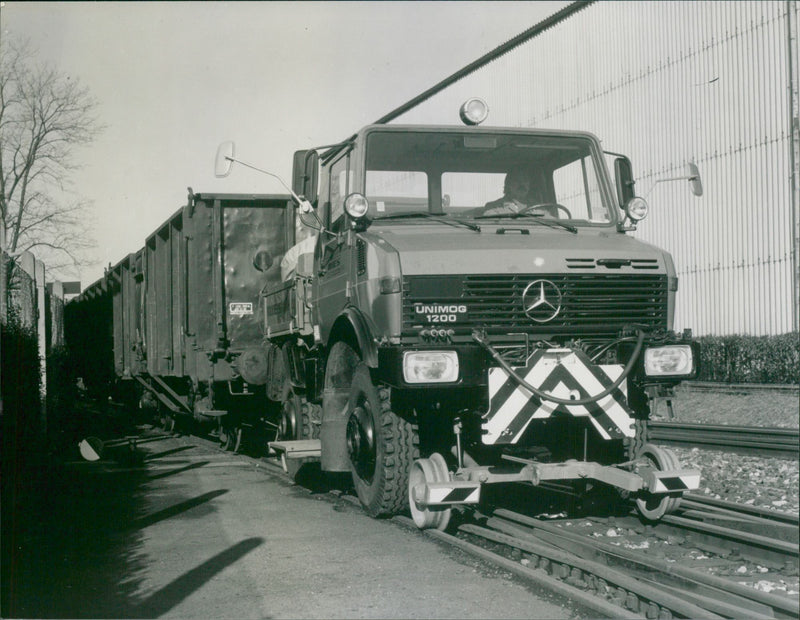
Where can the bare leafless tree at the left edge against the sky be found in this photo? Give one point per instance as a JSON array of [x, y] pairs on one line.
[[43, 117]]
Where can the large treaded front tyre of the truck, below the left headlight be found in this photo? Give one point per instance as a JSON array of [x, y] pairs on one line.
[[382, 447]]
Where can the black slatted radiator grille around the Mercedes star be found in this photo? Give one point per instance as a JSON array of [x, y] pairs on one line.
[[596, 304]]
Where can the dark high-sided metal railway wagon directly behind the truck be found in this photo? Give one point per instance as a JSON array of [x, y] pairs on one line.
[[182, 314]]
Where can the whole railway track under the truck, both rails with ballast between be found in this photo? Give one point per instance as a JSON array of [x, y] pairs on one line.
[[687, 566]]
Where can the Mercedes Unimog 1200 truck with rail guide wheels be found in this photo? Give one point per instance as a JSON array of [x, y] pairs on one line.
[[433, 333]]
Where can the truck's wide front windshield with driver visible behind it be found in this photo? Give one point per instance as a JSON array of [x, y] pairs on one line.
[[484, 176]]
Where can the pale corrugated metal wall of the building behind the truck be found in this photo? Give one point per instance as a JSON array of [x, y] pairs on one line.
[[670, 83]]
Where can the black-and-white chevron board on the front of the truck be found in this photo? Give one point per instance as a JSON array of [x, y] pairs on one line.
[[565, 375]]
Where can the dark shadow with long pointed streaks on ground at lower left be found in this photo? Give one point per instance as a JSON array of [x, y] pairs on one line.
[[72, 531]]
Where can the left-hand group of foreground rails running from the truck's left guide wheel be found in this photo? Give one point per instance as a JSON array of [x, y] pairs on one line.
[[598, 573]]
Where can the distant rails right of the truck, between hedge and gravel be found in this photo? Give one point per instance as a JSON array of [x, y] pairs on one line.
[[757, 440]]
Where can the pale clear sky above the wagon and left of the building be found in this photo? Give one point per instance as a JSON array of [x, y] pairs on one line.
[[175, 79]]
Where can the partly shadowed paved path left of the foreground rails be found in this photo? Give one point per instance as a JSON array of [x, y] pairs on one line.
[[185, 531]]
